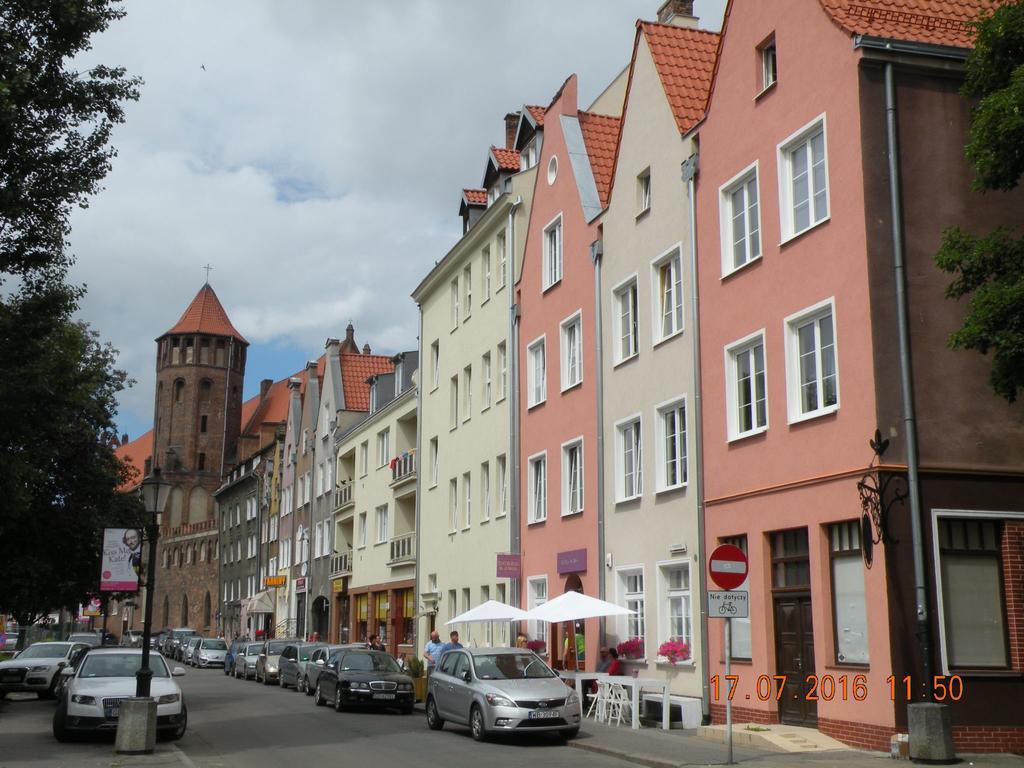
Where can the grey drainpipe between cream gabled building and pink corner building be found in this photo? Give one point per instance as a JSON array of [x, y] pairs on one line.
[[691, 168]]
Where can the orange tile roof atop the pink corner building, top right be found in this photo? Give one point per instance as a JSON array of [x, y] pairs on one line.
[[933, 22]]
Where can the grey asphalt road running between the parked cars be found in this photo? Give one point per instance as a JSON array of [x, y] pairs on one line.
[[237, 723]]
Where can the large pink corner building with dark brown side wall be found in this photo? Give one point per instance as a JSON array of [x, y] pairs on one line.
[[800, 342]]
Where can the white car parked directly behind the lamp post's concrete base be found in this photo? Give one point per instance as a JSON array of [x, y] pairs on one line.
[[93, 695]]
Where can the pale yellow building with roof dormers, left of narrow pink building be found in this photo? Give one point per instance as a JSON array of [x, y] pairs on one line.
[[466, 515]]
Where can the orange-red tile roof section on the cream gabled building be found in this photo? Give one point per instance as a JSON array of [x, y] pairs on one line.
[[686, 62]]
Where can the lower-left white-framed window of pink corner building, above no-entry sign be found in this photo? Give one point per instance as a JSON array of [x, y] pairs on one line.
[[747, 390]]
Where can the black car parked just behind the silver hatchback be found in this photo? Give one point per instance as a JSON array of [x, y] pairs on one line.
[[361, 677]]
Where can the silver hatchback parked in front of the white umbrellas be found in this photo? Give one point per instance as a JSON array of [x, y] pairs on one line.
[[501, 691]]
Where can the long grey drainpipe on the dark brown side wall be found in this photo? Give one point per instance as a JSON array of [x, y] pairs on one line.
[[907, 377]]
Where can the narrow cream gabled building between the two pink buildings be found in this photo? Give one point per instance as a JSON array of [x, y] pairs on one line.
[[651, 479]]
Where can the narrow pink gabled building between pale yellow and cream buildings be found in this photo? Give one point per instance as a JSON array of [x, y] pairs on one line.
[[559, 453]]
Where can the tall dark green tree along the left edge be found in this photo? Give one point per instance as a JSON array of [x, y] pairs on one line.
[[59, 474]]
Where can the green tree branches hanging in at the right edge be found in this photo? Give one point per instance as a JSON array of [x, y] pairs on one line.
[[990, 270]]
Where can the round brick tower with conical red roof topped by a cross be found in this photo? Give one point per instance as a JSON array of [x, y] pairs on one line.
[[201, 364]]
